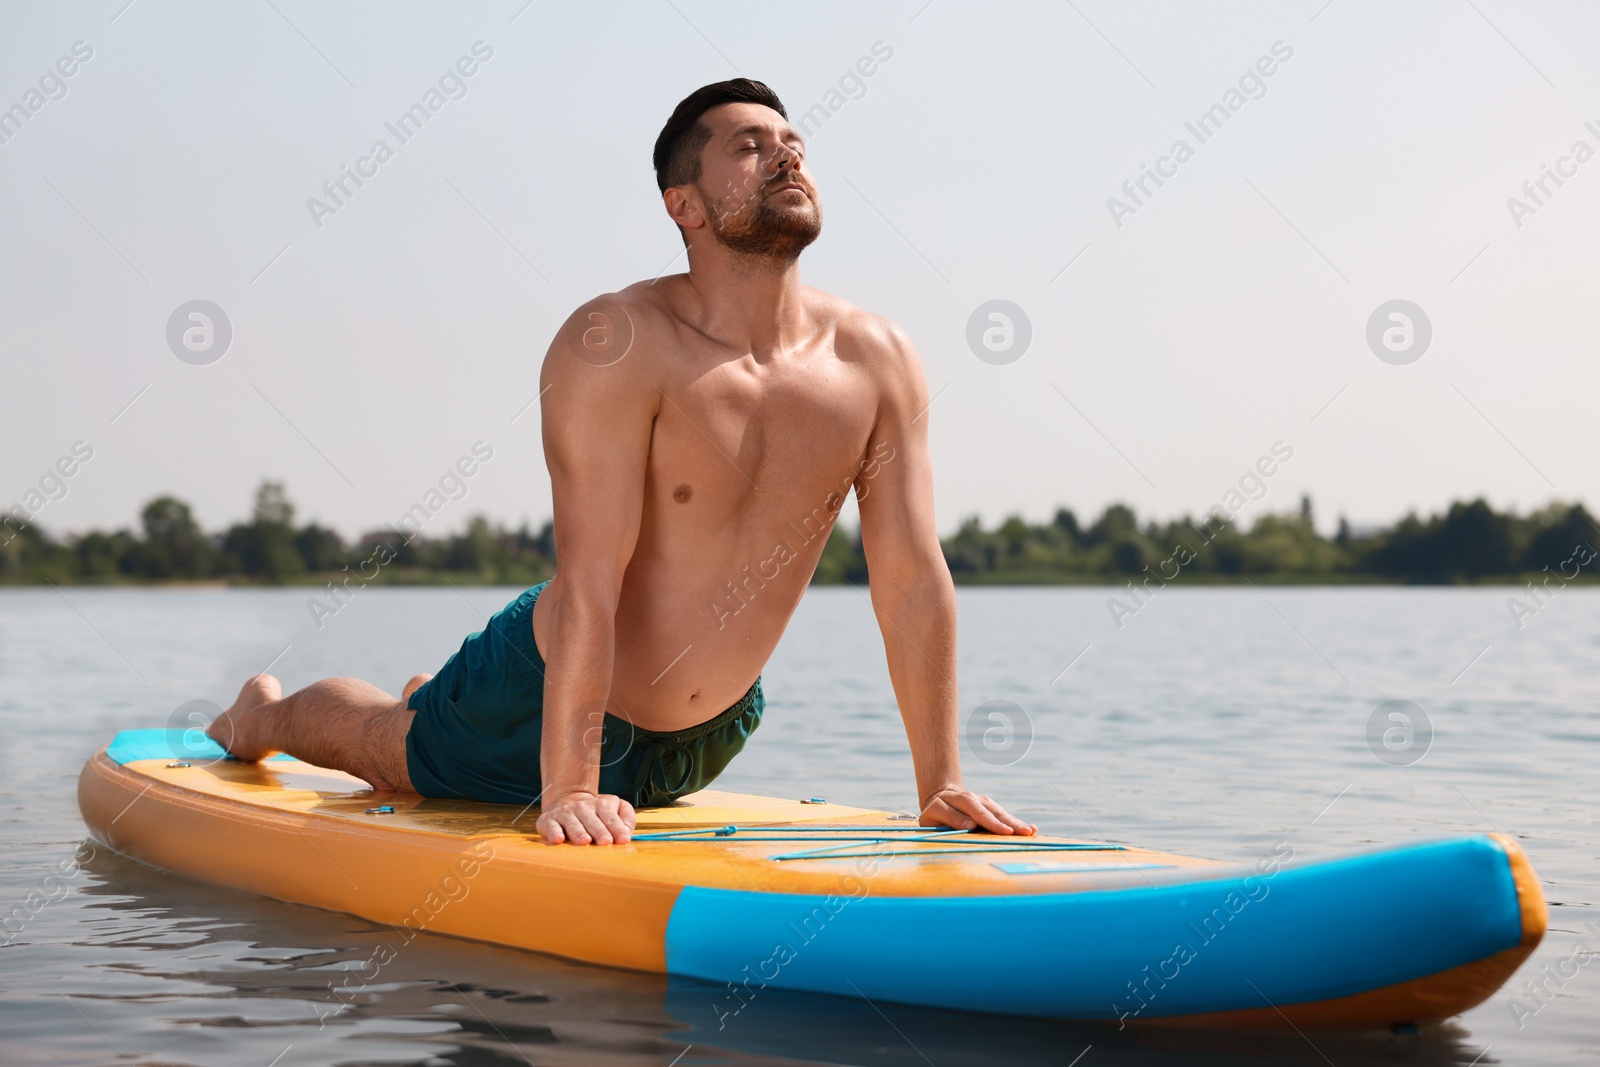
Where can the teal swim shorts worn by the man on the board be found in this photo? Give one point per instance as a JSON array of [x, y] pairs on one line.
[[478, 727]]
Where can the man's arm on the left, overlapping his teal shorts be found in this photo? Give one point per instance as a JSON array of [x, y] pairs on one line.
[[598, 409]]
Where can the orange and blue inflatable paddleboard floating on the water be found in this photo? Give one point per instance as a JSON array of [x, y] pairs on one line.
[[758, 893]]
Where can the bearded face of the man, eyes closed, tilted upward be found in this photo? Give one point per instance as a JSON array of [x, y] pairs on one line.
[[758, 191]]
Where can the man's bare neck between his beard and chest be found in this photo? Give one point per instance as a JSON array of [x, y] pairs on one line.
[[746, 302]]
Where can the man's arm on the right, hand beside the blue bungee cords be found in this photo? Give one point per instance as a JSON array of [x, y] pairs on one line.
[[913, 593]]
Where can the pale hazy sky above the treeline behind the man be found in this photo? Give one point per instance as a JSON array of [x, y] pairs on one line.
[[1228, 313]]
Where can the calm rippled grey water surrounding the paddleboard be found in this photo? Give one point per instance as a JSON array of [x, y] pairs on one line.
[[1215, 722]]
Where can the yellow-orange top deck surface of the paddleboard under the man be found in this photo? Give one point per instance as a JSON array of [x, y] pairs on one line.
[[742, 860]]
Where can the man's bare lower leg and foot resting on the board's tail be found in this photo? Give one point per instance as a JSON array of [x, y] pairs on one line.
[[342, 724]]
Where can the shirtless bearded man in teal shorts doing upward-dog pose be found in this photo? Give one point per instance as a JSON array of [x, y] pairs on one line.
[[702, 434]]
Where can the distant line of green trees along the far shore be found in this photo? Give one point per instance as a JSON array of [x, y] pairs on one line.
[[1470, 543]]
